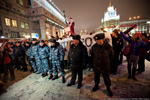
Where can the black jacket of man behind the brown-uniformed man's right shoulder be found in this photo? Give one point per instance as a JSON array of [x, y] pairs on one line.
[[117, 44]]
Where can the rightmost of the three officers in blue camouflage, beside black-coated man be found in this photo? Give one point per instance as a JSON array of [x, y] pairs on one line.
[[56, 57]]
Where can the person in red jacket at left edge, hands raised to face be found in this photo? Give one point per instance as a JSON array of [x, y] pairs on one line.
[[5, 62]]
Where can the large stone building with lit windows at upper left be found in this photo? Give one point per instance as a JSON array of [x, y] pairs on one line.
[[29, 19]]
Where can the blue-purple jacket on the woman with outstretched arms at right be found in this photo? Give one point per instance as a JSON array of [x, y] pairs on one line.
[[135, 44]]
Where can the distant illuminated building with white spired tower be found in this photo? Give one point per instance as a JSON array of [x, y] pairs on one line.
[[111, 21]]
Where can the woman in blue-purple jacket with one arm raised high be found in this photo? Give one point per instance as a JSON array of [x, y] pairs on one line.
[[136, 43]]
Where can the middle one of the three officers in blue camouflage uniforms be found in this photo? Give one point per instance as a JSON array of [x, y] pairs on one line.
[[43, 55]]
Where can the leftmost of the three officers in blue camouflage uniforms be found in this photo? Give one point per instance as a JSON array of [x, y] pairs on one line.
[[33, 54]]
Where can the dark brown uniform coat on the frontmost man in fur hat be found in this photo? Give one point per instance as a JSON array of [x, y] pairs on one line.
[[101, 57]]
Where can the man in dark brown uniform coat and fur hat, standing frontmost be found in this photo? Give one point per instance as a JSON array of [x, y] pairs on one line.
[[101, 53]]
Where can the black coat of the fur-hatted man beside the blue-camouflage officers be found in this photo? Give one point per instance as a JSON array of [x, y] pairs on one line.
[[77, 57]]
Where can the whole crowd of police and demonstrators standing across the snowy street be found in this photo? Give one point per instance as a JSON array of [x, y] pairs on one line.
[[102, 58]]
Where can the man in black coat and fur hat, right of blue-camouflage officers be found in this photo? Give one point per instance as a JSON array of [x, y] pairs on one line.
[[77, 60]]
